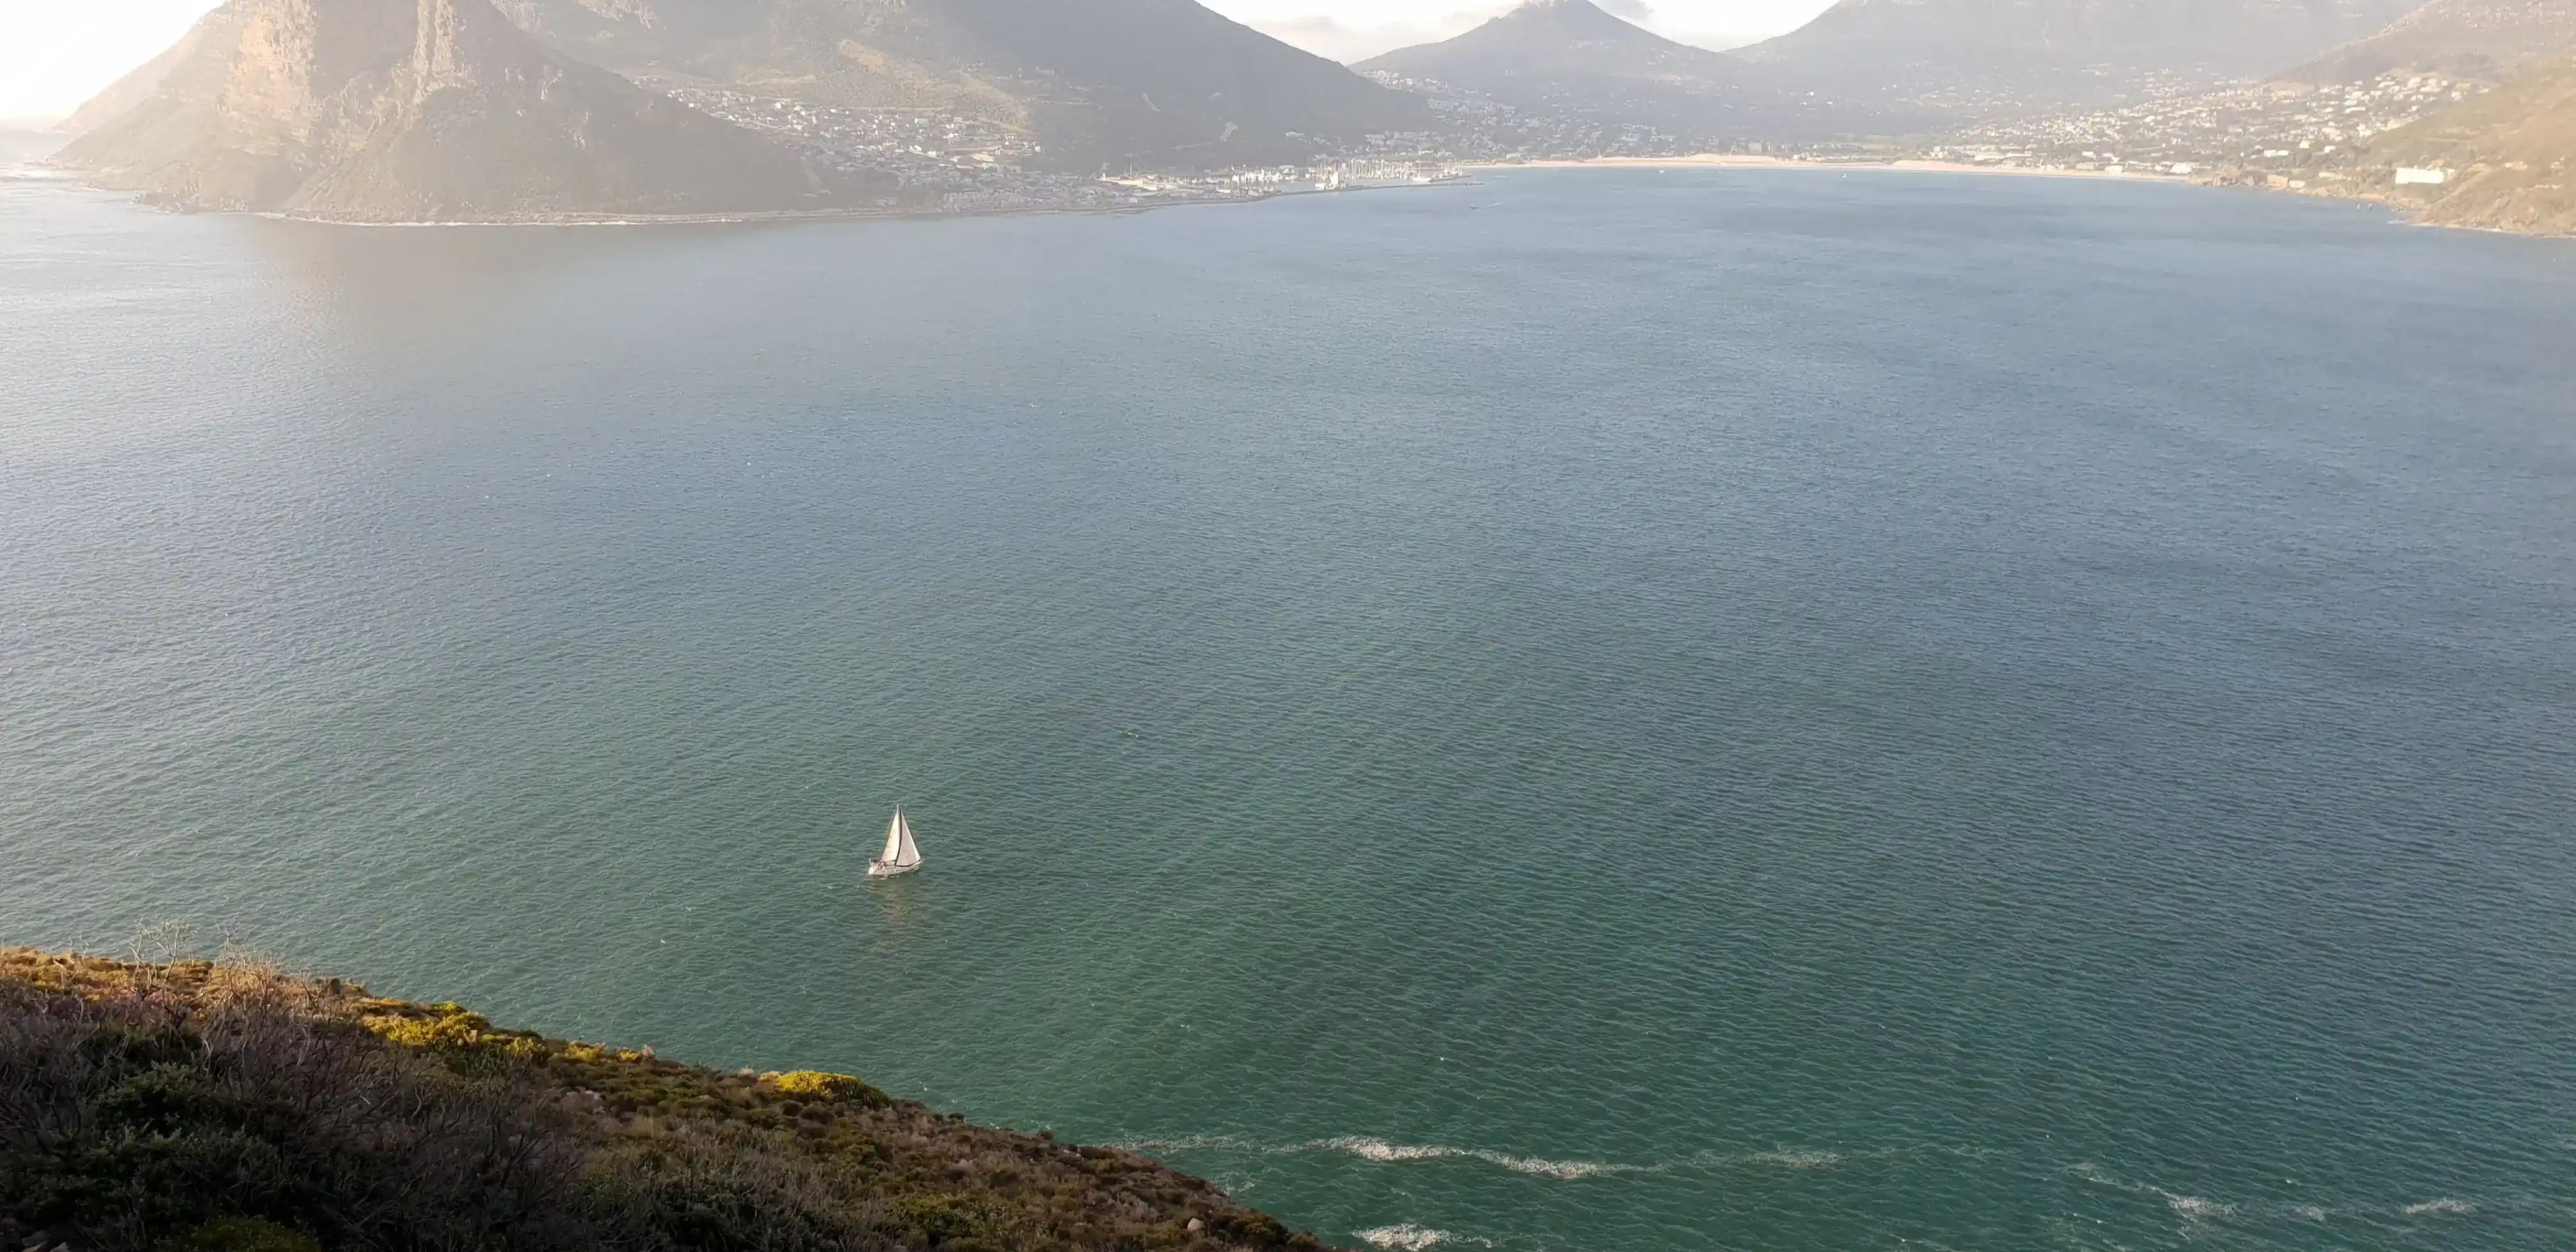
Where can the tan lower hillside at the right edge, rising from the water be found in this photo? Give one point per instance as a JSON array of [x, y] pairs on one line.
[[2508, 158]]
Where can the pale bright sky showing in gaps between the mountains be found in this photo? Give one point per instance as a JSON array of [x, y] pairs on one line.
[[61, 53]]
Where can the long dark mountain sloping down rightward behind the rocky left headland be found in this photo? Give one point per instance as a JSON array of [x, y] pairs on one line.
[[1096, 81]]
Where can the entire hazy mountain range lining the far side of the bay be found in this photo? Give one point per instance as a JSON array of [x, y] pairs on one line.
[[457, 109]]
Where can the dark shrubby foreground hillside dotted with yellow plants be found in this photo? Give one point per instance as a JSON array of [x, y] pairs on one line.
[[205, 1106]]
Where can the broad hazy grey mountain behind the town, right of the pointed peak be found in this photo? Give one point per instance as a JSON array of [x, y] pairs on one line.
[[2044, 53]]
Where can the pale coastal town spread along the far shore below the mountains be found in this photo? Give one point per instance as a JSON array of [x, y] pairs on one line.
[[2281, 135]]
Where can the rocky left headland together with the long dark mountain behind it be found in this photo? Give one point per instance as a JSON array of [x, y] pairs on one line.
[[457, 109]]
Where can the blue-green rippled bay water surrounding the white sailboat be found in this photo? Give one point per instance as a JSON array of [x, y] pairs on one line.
[[1578, 712]]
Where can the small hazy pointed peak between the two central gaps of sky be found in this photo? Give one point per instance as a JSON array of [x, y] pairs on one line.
[[1575, 58]]
